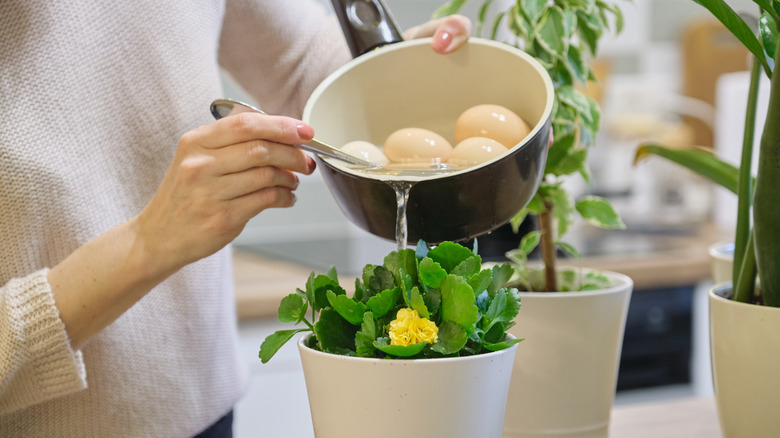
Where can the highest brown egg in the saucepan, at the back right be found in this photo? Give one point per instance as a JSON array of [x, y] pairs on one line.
[[491, 121]]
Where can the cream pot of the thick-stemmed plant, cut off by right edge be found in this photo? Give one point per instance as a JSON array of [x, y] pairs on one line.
[[745, 352]]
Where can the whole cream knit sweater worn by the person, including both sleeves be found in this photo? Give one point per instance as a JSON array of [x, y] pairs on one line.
[[95, 94]]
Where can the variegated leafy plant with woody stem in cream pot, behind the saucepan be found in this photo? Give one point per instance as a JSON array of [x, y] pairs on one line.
[[566, 373]]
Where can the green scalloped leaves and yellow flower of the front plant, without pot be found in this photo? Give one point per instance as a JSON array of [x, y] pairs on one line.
[[421, 303]]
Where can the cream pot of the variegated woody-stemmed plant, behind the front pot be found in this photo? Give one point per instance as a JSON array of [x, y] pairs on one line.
[[565, 371]]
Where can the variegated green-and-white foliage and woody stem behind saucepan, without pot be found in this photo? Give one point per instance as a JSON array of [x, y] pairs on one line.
[[563, 35]]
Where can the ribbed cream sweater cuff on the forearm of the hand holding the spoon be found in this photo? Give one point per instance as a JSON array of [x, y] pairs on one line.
[[37, 362]]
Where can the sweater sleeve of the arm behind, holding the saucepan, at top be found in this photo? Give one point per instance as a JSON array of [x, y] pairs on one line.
[[279, 51]]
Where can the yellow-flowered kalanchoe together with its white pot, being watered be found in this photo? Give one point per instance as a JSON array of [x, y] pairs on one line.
[[419, 349]]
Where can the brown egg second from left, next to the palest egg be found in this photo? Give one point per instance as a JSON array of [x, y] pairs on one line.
[[417, 145]]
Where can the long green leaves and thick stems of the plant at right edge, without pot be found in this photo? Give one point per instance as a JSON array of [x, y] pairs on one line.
[[757, 251]]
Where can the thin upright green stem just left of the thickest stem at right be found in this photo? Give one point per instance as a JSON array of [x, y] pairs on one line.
[[745, 184]]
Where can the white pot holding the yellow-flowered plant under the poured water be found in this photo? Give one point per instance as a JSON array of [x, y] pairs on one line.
[[353, 397]]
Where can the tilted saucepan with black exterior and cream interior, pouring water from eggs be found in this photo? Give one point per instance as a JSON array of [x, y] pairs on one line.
[[407, 84]]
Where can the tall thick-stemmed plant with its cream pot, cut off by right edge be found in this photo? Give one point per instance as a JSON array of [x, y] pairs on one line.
[[744, 318]]
